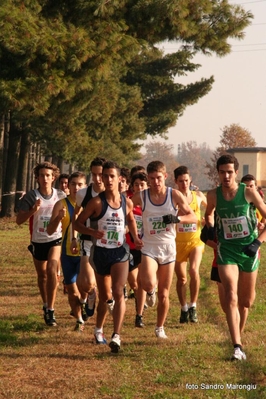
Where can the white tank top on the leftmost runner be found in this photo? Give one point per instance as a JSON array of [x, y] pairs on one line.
[[42, 217]]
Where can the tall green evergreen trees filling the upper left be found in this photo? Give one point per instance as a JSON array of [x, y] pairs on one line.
[[83, 78]]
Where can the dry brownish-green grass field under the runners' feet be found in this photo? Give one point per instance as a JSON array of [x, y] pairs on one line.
[[41, 362]]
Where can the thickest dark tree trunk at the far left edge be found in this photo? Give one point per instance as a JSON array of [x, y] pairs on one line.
[[9, 186]]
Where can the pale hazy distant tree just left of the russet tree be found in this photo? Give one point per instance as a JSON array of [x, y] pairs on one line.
[[195, 156]]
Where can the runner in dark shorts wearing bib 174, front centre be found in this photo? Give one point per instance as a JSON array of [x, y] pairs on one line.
[[109, 212]]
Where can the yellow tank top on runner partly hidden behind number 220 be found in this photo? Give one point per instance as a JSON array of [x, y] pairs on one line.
[[190, 231]]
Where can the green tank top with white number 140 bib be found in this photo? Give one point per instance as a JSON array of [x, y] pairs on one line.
[[235, 219]]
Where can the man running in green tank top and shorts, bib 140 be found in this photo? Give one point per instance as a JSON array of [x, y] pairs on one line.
[[238, 244]]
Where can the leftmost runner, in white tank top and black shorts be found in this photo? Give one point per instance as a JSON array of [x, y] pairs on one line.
[[37, 205]]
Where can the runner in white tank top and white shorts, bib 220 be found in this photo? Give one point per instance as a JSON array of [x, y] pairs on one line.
[[159, 250]]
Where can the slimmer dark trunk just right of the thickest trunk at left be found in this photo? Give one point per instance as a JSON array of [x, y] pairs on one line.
[[22, 167]]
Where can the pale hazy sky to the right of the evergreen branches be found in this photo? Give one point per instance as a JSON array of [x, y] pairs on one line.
[[238, 94]]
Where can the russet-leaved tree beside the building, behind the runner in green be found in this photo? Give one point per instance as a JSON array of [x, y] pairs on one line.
[[233, 136]]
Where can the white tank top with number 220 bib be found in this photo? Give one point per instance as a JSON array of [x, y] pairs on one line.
[[154, 230]]
